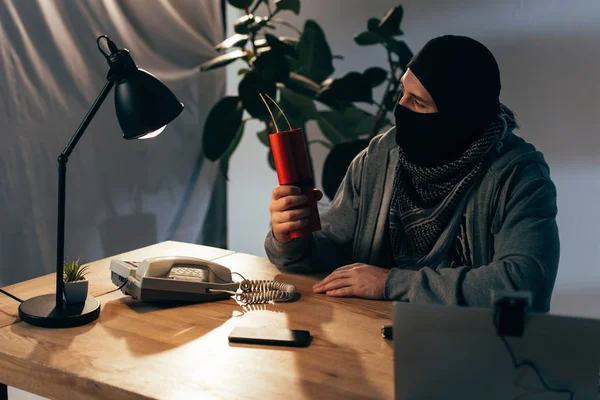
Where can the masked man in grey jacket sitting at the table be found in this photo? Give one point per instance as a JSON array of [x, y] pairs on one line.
[[446, 207]]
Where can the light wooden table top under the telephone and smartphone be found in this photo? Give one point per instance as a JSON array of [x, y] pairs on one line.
[[137, 351]]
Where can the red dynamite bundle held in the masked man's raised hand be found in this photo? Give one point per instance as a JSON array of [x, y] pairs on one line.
[[293, 168]]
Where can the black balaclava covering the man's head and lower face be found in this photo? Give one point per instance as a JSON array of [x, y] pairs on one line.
[[463, 78]]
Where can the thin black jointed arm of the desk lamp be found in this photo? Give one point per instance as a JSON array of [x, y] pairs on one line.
[[63, 158]]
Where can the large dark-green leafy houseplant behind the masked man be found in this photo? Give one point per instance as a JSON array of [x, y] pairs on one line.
[[298, 72]]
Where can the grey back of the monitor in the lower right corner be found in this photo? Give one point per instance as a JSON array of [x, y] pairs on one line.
[[444, 352]]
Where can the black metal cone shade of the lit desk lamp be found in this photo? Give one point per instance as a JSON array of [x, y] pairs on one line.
[[144, 105]]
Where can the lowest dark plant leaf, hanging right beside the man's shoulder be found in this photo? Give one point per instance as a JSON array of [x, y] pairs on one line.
[[336, 164]]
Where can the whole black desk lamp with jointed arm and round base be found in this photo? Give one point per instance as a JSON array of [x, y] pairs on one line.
[[144, 107]]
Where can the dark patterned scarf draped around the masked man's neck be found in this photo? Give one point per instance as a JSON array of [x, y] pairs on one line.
[[425, 198]]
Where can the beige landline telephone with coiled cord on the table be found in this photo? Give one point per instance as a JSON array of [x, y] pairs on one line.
[[194, 280]]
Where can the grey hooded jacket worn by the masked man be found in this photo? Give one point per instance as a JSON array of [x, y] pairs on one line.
[[510, 221]]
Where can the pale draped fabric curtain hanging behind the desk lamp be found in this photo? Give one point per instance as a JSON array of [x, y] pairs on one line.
[[120, 194]]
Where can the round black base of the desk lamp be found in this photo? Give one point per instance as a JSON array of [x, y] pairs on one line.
[[42, 311]]
